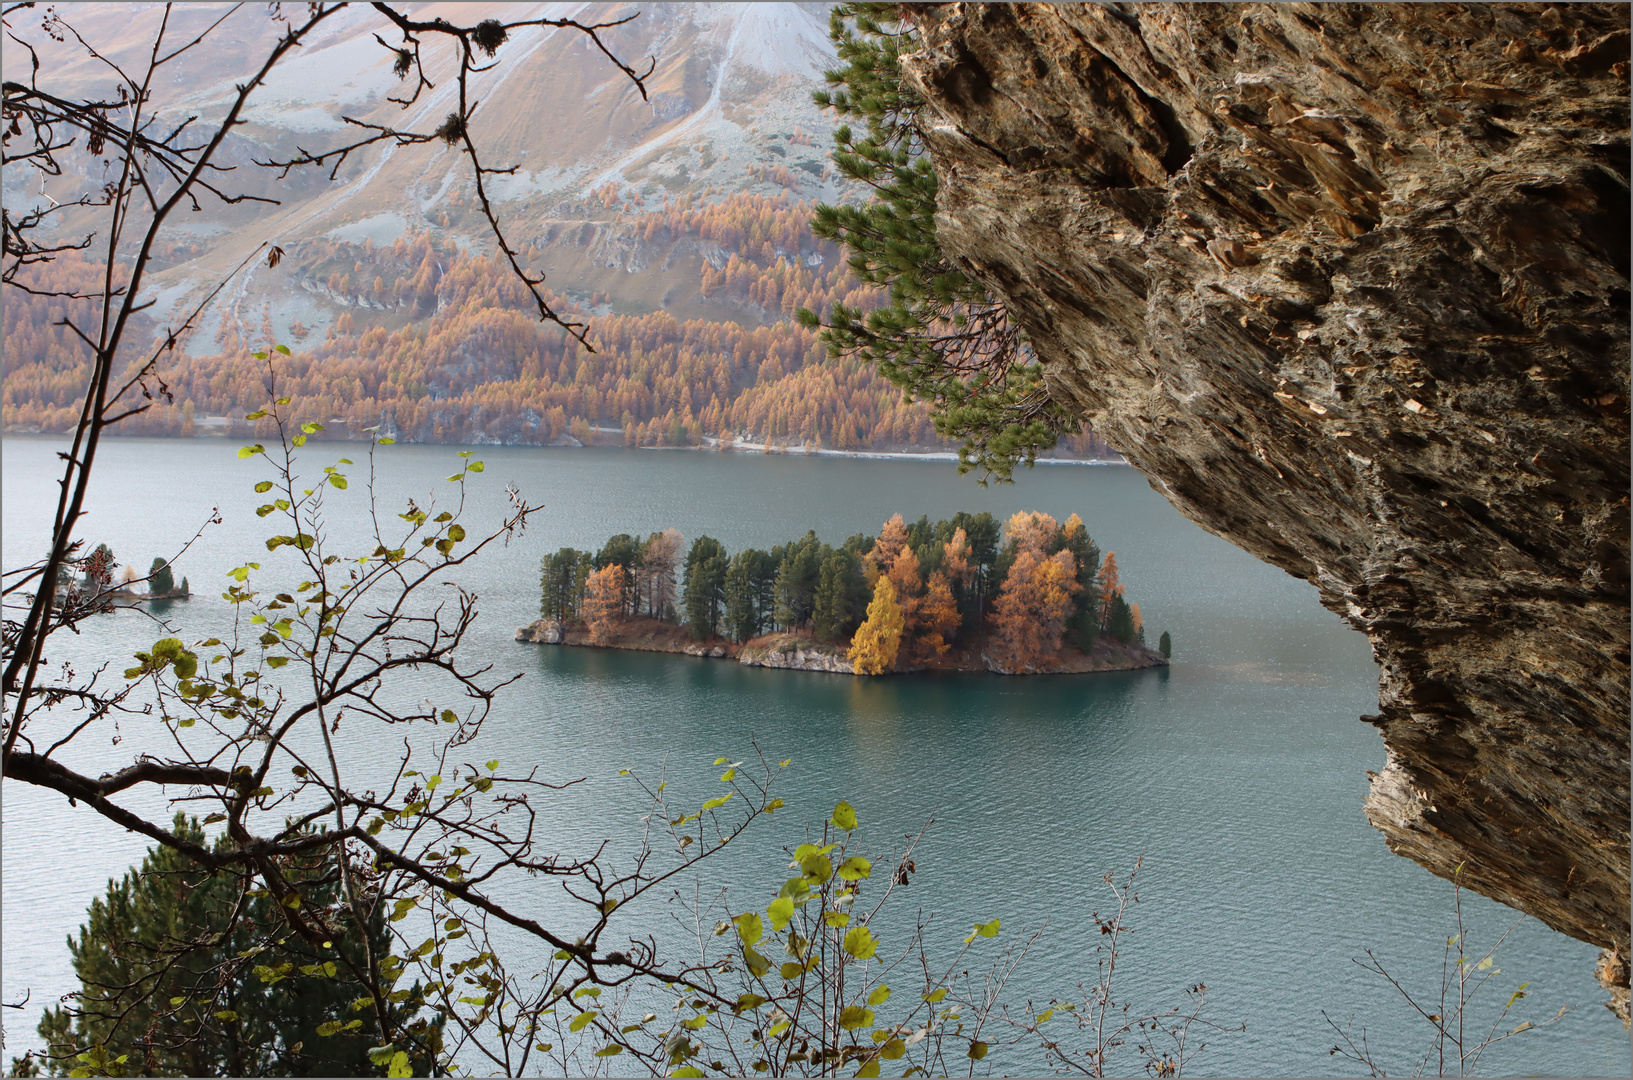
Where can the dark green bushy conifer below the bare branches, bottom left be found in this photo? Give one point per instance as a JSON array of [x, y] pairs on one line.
[[172, 986]]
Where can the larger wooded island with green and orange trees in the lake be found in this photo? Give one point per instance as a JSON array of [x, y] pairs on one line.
[[1031, 597]]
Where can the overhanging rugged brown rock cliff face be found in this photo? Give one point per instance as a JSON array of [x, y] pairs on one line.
[[1350, 283]]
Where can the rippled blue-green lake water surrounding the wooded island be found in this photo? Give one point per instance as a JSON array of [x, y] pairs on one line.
[[1239, 774]]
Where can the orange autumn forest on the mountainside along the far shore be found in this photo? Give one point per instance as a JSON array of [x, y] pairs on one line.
[[435, 342]]
